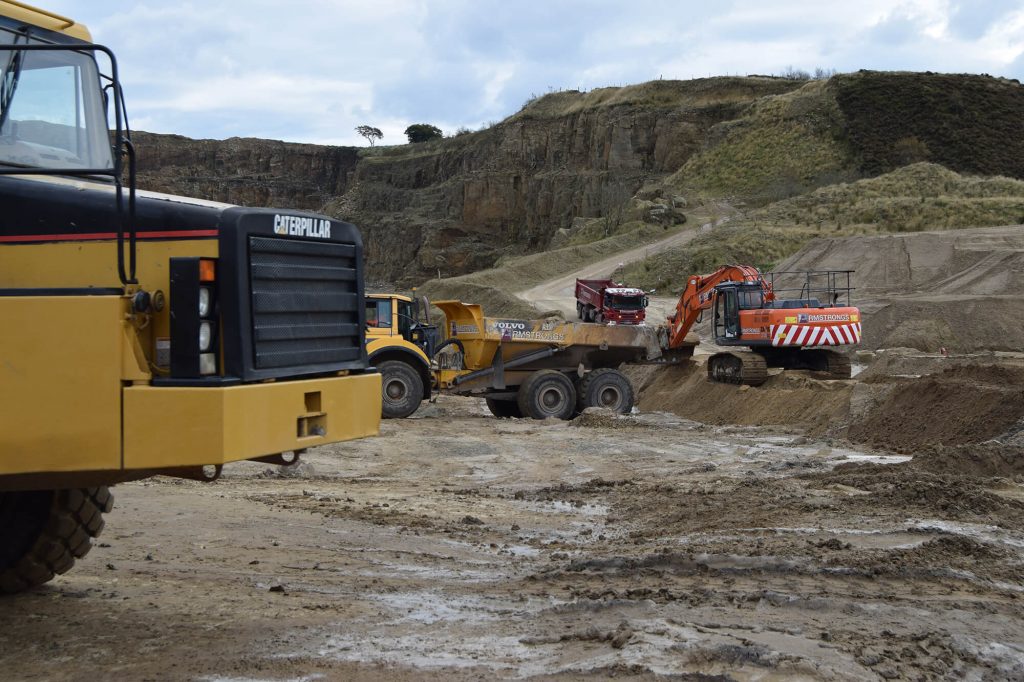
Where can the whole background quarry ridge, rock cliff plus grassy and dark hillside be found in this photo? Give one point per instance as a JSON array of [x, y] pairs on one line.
[[600, 159]]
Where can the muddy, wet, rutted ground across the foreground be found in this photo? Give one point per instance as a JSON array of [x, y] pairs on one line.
[[461, 547]]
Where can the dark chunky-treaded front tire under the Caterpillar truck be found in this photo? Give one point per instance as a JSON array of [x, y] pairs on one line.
[[44, 532]]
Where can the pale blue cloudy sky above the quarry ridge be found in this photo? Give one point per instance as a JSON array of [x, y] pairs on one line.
[[311, 71]]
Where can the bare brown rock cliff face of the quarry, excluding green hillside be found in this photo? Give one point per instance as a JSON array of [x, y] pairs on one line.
[[459, 204]]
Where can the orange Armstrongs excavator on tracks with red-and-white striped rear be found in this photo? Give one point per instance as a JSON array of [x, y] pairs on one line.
[[779, 326]]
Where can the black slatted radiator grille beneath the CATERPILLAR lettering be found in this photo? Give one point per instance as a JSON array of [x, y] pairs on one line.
[[306, 303]]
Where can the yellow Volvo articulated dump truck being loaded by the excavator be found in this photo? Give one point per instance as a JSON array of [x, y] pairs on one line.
[[523, 368]]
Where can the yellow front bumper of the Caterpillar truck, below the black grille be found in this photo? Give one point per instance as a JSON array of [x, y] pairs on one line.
[[176, 428]]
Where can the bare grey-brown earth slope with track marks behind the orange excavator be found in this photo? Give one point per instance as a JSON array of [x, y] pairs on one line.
[[960, 289]]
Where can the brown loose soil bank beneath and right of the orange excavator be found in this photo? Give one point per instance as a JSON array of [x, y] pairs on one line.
[[952, 402]]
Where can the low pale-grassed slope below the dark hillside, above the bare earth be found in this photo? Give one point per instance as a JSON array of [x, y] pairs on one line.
[[911, 199]]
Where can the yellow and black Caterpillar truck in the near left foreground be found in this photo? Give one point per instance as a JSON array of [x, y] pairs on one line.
[[146, 334]]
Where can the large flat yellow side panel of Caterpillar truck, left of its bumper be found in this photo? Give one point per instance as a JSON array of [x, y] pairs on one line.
[[61, 362]]
